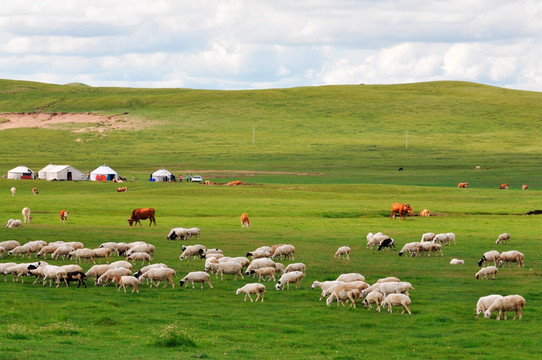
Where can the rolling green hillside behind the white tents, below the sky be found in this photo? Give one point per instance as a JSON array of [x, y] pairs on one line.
[[352, 134]]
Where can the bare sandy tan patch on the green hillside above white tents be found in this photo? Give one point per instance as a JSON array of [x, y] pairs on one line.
[[77, 122]]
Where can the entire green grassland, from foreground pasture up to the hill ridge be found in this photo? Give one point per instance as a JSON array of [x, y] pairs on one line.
[[354, 135]]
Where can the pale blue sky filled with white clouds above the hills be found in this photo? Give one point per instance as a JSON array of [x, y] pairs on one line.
[[262, 44]]
